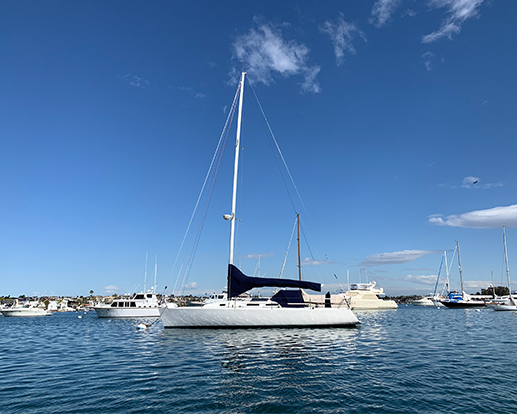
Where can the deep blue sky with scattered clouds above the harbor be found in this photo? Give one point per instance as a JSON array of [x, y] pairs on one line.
[[396, 119]]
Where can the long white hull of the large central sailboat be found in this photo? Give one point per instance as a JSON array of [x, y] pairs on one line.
[[242, 317]]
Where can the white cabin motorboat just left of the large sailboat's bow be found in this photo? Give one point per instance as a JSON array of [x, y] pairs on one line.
[[140, 305]]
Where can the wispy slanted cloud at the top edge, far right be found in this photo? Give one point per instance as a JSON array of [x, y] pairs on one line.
[[458, 11]]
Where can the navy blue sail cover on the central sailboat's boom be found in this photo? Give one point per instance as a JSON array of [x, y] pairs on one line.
[[239, 283]]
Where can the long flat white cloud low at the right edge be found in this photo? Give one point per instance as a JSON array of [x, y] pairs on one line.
[[482, 219]]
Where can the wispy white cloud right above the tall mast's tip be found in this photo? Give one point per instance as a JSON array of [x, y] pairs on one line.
[[265, 53]]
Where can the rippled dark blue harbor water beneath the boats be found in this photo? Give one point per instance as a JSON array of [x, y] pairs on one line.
[[409, 360]]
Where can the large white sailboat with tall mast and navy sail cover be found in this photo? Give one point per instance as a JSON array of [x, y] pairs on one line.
[[285, 309]]
